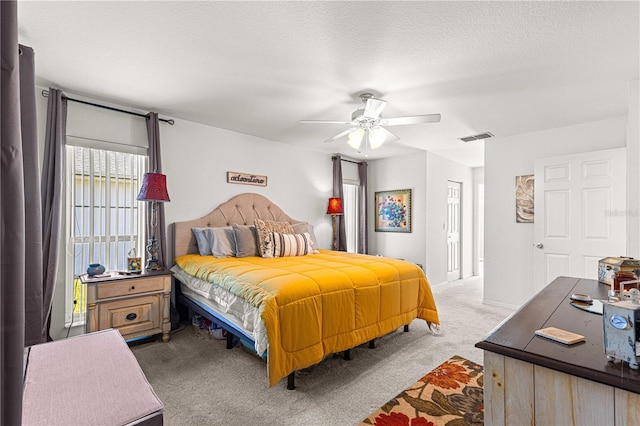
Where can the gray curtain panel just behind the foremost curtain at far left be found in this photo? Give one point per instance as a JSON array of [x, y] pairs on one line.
[[33, 290]]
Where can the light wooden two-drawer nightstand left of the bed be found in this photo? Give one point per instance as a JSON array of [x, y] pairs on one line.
[[137, 305]]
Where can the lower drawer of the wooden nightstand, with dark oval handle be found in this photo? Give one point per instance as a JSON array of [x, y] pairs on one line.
[[131, 316]]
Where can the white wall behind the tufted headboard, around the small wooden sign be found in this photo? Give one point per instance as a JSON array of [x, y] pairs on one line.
[[196, 159]]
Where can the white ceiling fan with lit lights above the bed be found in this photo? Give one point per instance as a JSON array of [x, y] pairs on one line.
[[368, 124]]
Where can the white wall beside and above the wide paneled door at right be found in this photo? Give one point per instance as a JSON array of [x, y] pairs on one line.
[[509, 245]]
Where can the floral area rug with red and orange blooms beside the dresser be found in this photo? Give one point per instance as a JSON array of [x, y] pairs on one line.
[[449, 395]]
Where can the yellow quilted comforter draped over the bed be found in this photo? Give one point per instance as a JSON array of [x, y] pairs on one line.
[[320, 304]]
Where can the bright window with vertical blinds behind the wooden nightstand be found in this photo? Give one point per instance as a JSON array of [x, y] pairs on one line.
[[104, 219]]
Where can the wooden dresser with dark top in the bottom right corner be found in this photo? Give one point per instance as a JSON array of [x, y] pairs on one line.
[[532, 380]]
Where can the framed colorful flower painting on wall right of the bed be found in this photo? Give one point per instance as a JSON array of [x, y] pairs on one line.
[[393, 211]]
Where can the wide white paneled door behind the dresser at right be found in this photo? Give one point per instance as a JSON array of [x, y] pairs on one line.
[[580, 205]]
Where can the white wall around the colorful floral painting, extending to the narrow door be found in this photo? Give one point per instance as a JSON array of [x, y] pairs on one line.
[[427, 175]]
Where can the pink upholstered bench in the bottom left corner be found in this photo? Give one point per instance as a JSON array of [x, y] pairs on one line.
[[93, 379]]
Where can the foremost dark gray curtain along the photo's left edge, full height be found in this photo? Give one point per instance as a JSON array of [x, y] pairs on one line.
[[15, 198]]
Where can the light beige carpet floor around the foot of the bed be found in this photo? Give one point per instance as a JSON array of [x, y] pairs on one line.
[[203, 383]]
